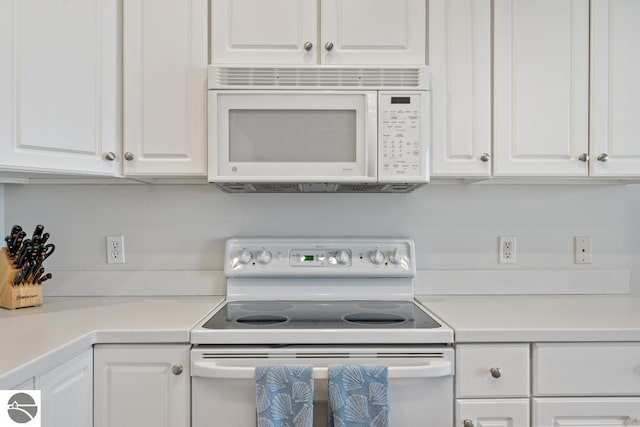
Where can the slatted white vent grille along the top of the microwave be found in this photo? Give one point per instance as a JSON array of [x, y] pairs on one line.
[[230, 77]]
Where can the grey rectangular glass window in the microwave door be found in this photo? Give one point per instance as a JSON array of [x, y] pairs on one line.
[[264, 136]]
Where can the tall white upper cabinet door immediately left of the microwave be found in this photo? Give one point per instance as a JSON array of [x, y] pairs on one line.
[[165, 66]]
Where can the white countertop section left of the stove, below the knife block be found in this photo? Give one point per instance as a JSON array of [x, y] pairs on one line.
[[35, 339]]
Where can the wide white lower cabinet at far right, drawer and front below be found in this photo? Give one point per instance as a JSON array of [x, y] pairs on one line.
[[571, 382]]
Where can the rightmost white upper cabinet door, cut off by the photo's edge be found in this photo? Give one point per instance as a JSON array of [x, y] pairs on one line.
[[615, 88]]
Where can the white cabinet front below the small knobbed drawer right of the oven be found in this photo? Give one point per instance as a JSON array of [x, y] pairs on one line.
[[492, 412]]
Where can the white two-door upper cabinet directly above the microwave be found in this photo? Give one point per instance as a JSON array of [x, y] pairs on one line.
[[311, 32]]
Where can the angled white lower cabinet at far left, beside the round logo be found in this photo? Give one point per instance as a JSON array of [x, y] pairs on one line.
[[66, 393]]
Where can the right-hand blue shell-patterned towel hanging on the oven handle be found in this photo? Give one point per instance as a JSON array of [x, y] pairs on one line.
[[358, 396]]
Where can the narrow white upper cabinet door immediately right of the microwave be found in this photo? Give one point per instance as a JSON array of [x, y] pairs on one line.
[[460, 61]]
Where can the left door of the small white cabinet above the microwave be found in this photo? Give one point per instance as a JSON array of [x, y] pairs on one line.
[[264, 32]]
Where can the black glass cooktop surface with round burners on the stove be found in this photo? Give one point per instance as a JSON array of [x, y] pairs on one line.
[[287, 315]]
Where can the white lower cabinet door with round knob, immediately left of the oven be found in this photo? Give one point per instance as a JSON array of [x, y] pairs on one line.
[[142, 385]]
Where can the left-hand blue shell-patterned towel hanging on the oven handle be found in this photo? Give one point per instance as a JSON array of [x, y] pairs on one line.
[[284, 396]]
